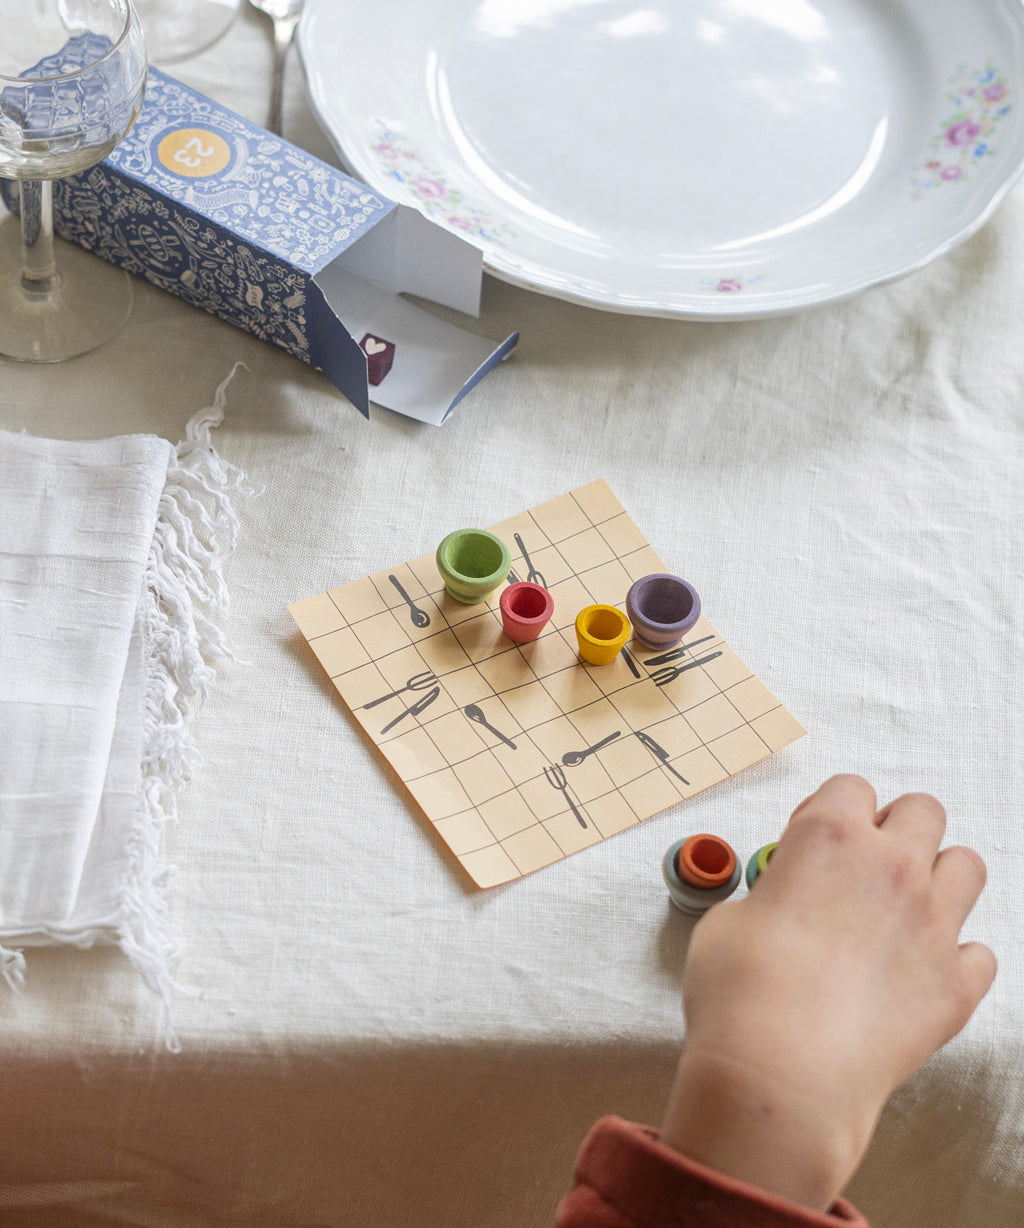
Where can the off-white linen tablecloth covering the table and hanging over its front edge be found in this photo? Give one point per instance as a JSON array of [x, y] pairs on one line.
[[376, 1042]]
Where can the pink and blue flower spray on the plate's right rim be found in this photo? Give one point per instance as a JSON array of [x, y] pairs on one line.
[[980, 99]]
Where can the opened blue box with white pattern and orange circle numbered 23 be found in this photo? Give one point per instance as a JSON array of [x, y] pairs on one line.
[[220, 213]]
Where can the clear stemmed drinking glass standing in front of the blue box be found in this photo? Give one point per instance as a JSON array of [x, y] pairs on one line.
[[72, 80]]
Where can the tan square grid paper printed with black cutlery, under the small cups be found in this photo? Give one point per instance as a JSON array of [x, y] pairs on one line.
[[506, 811]]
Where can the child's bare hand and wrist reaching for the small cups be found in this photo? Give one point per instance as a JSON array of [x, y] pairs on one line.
[[810, 1001]]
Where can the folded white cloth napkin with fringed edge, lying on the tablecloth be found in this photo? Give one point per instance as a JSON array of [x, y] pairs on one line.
[[112, 599]]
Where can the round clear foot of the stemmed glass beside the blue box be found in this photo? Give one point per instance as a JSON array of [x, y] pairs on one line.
[[90, 305]]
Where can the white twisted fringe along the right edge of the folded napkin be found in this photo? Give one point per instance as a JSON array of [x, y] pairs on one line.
[[184, 602]]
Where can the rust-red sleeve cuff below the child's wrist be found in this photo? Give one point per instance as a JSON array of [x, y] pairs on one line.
[[627, 1179]]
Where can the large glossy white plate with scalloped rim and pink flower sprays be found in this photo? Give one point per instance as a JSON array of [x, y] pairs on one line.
[[703, 159]]
